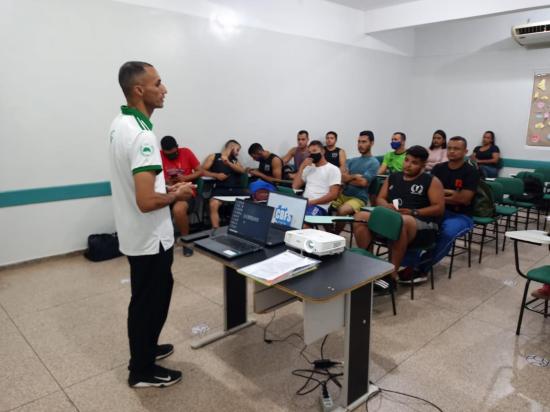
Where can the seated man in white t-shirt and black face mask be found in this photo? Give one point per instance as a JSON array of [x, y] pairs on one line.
[[322, 180]]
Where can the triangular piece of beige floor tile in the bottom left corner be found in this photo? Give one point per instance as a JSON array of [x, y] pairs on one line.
[[23, 378]]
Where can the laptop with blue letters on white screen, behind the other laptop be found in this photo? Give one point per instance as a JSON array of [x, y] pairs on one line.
[[288, 215]]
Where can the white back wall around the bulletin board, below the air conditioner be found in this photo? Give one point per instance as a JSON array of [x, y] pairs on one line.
[[471, 76]]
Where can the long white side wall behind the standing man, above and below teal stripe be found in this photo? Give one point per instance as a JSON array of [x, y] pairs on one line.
[[60, 94]]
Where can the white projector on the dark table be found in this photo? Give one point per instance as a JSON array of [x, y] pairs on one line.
[[316, 242]]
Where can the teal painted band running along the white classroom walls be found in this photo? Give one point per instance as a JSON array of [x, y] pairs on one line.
[[98, 189]]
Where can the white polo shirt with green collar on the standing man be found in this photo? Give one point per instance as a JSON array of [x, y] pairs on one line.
[[133, 148]]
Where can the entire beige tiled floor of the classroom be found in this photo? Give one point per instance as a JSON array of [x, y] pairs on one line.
[[63, 344]]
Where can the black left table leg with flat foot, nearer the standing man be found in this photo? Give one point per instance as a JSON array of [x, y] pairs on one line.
[[235, 308]]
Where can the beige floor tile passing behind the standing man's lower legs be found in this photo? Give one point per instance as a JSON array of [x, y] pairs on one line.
[[82, 339]]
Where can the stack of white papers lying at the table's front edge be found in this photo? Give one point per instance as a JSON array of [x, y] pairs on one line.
[[280, 267]]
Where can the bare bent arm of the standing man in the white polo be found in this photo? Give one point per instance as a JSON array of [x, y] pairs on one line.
[[148, 200]]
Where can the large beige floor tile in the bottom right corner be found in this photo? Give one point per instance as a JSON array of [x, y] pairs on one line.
[[486, 370]]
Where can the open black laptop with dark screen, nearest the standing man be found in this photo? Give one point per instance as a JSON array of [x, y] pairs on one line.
[[247, 231]]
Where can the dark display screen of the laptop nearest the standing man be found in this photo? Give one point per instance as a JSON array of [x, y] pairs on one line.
[[250, 220]]
